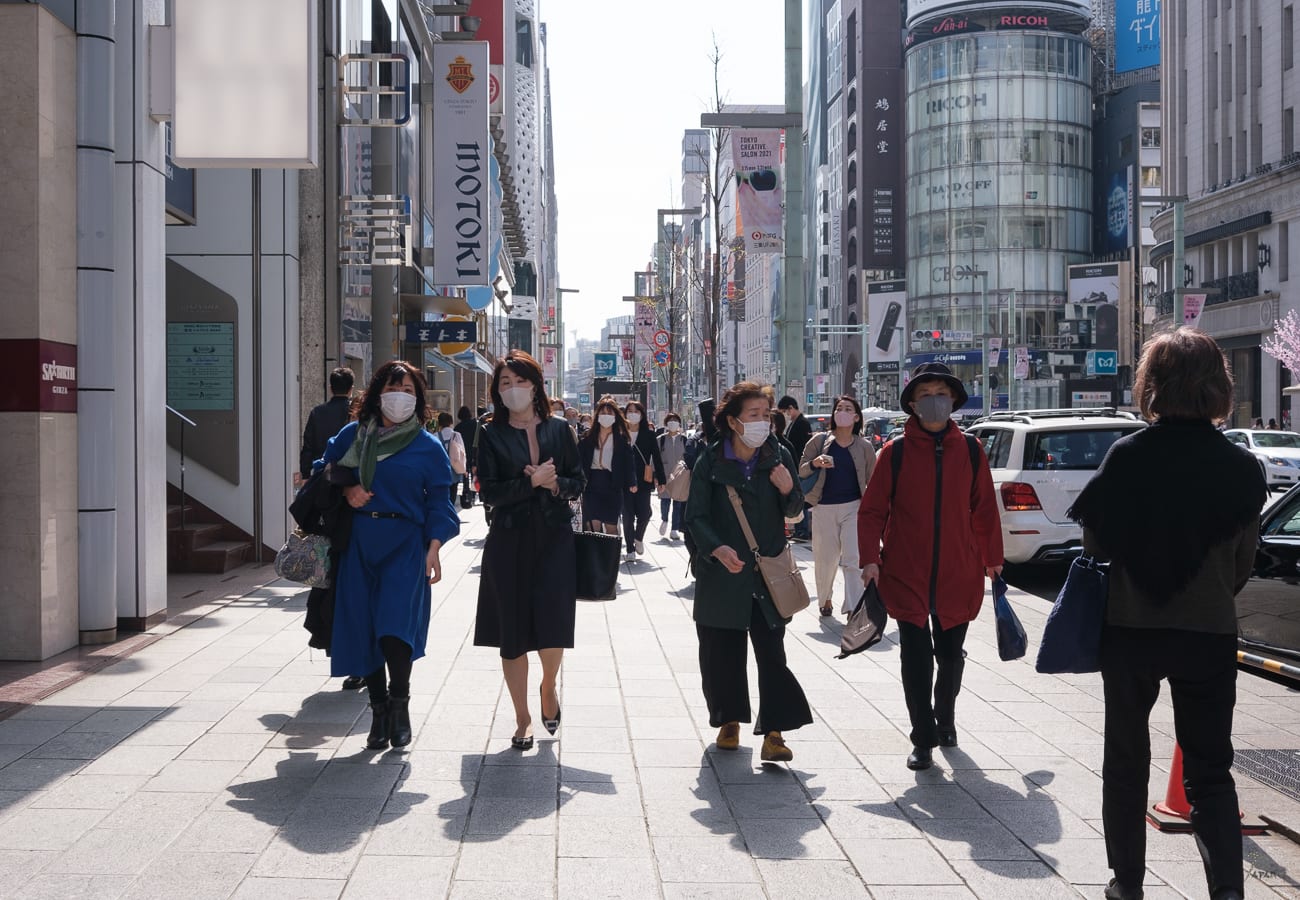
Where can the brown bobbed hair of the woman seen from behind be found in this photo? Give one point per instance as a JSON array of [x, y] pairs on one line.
[[1184, 375]]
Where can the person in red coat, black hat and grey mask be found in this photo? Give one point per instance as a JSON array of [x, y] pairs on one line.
[[929, 534]]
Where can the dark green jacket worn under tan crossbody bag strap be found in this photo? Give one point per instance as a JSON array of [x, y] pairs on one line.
[[725, 600]]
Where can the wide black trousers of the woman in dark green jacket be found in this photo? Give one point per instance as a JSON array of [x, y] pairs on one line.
[[782, 706]]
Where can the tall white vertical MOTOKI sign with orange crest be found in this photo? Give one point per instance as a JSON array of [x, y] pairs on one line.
[[462, 196]]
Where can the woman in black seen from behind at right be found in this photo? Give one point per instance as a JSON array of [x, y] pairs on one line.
[[1176, 509]]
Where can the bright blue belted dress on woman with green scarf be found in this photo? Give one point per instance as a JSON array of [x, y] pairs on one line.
[[383, 582]]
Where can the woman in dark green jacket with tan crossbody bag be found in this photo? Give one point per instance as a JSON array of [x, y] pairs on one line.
[[731, 598]]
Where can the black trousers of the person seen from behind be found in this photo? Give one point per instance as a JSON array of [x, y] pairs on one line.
[[1202, 673]]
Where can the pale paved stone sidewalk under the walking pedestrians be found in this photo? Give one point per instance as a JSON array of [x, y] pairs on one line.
[[223, 761]]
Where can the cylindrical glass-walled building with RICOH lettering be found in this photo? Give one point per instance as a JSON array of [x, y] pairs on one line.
[[999, 178]]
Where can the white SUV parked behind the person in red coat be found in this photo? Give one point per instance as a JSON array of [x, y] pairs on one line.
[[1041, 461]]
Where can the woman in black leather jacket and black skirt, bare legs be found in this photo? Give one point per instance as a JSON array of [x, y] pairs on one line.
[[528, 473]]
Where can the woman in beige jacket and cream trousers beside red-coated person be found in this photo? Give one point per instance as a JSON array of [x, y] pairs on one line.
[[843, 461]]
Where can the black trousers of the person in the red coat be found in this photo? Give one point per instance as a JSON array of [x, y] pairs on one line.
[[922, 647]]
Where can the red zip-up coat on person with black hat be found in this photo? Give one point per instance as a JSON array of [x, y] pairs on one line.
[[934, 551]]
